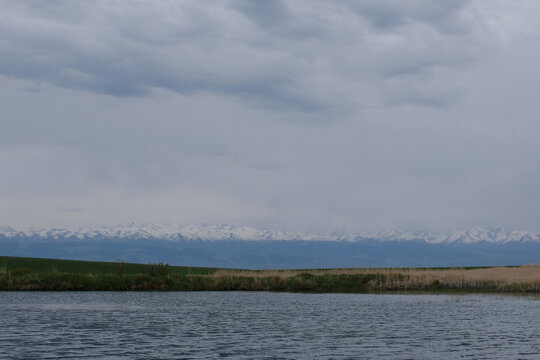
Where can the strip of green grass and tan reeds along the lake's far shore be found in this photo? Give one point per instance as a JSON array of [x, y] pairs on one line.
[[49, 274]]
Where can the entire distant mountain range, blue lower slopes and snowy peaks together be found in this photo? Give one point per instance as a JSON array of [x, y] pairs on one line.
[[244, 247]]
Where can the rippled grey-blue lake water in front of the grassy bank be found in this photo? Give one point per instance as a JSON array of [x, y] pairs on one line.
[[266, 326]]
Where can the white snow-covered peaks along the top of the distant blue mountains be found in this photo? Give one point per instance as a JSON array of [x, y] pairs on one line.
[[215, 232]]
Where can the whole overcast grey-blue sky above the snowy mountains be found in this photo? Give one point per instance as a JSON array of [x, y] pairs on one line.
[[286, 115]]
